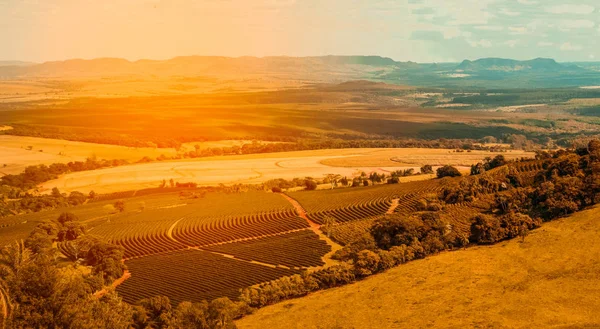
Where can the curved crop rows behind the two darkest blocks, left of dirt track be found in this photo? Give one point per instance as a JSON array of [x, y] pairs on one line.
[[145, 232]]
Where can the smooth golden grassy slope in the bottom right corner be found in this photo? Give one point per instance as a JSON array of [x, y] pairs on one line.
[[550, 280]]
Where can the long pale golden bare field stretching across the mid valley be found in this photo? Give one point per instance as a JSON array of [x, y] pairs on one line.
[[258, 168]]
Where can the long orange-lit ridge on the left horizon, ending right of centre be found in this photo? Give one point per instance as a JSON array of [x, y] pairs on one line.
[[215, 66]]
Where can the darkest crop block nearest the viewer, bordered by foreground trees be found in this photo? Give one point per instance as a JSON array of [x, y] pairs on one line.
[[193, 275]]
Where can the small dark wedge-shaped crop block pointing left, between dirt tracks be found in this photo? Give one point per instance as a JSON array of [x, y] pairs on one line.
[[296, 249]]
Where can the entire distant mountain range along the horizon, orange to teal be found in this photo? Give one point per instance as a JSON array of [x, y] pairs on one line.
[[483, 73]]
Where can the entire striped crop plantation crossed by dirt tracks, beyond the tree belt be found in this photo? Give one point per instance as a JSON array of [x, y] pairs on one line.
[[265, 234]]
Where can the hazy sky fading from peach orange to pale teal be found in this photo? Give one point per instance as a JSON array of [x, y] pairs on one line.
[[417, 30]]
